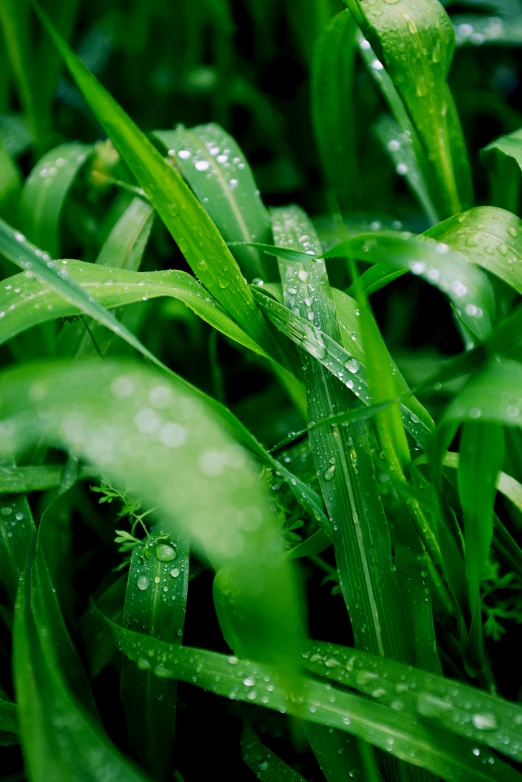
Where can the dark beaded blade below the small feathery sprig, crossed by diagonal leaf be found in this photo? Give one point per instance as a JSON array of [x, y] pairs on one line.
[[155, 602]]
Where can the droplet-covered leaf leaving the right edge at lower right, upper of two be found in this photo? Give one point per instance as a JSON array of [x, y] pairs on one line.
[[456, 707]]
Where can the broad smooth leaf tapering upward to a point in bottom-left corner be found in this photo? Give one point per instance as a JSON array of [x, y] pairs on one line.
[[61, 736]]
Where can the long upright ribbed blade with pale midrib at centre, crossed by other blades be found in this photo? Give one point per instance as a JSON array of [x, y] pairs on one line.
[[345, 472]]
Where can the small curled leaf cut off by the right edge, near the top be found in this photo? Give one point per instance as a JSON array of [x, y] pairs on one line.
[[503, 157]]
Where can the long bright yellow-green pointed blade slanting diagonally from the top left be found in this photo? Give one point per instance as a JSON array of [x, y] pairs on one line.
[[187, 221]]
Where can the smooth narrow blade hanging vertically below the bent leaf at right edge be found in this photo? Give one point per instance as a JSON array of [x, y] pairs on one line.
[[481, 456]]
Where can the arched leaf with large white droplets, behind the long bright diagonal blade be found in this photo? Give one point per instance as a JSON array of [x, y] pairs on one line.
[[227, 190]]
